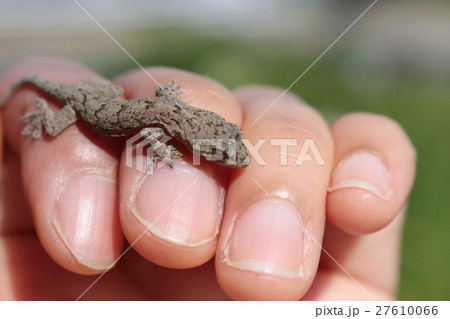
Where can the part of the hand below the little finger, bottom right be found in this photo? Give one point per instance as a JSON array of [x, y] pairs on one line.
[[372, 260]]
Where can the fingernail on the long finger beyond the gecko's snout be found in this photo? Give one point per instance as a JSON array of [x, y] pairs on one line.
[[268, 239]]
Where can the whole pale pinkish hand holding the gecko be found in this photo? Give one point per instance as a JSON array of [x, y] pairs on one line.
[[76, 193]]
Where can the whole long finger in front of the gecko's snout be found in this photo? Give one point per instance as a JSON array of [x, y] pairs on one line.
[[269, 245]]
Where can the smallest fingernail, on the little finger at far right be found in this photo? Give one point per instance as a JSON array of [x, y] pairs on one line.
[[362, 170]]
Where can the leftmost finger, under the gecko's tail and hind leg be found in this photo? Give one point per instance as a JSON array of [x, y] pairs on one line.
[[69, 180]]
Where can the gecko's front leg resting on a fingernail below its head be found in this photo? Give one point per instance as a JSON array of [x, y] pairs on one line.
[[161, 151]]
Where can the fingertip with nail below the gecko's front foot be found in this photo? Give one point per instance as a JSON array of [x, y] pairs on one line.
[[172, 216]]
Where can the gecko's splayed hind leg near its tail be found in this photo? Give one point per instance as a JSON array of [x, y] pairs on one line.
[[53, 124]]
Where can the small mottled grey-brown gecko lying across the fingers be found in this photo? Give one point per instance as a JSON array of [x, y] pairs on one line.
[[201, 131]]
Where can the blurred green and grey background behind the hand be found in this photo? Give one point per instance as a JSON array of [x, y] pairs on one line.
[[395, 61]]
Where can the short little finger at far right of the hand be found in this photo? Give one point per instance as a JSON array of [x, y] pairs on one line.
[[373, 174]]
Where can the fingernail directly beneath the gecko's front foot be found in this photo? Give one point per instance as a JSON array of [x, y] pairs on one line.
[[182, 205]]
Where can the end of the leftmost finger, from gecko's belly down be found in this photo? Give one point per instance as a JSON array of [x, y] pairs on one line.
[[72, 193]]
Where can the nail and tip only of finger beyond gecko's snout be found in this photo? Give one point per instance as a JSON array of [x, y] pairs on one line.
[[262, 254]]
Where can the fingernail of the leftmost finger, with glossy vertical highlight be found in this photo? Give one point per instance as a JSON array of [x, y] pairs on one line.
[[87, 220]]
